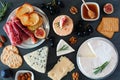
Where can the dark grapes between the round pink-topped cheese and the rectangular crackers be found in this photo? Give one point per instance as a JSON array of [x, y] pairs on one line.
[[83, 30]]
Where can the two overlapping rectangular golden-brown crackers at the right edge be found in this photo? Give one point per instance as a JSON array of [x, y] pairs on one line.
[[108, 26]]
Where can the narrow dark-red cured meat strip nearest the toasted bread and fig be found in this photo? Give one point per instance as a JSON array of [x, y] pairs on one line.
[[27, 31]]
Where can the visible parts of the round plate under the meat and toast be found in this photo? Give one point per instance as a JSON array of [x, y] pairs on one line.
[[28, 44]]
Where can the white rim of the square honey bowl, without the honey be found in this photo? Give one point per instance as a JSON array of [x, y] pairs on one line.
[[98, 8]]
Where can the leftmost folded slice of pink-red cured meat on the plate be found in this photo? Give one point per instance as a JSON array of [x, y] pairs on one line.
[[13, 36]]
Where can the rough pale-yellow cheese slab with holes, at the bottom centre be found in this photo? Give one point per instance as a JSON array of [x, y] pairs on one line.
[[63, 66]]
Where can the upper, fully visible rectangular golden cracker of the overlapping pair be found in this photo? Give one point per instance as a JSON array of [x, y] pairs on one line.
[[110, 24]]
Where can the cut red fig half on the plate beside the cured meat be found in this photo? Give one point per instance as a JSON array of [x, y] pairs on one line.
[[40, 33]]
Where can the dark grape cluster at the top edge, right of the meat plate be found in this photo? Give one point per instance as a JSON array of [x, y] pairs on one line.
[[53, 7]]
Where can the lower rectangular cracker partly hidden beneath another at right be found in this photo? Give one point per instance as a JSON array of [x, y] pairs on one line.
[[108, 34]]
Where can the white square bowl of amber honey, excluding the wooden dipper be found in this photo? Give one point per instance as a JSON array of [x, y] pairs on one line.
[[94, 7]]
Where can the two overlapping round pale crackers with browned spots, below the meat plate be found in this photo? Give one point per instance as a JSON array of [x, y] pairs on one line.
[[10, 57]]
